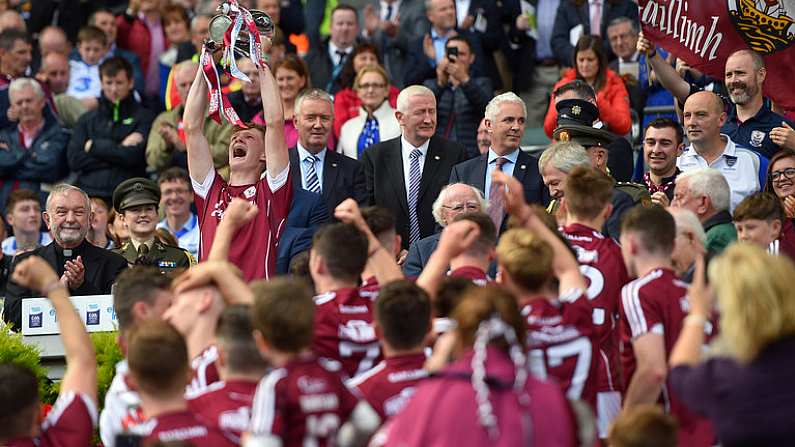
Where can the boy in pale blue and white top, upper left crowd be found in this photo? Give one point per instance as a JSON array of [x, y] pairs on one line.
[[84, 82]]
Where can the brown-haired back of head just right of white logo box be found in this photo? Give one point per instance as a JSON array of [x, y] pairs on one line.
[[136, 285]]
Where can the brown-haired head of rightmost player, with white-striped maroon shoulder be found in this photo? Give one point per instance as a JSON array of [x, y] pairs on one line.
[[654, 228]]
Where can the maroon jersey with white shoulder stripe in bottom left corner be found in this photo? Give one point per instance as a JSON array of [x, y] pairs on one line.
[[70, 423]]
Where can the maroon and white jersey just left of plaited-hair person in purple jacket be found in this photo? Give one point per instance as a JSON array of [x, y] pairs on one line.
[[388, 386]]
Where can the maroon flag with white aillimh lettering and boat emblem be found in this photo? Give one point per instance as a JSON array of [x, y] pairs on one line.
[[705, 32]]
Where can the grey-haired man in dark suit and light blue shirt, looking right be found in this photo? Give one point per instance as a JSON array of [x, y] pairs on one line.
[[505, 121]]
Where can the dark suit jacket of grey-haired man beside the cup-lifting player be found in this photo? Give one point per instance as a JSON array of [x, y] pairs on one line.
[[343, 177]]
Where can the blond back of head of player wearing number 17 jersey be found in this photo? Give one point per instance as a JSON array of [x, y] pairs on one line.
[[526, 258]]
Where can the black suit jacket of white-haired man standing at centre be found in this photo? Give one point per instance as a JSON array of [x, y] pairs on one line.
[[383, 170]]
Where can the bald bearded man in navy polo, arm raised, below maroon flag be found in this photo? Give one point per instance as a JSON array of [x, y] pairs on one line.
[[750, 121]]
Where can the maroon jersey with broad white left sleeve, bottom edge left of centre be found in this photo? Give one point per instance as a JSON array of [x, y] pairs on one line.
[[302, 403]]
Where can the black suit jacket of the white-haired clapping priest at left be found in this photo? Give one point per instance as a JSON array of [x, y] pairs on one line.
[[101, 269]]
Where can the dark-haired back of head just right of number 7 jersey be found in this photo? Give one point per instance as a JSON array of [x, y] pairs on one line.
[[403, 312]]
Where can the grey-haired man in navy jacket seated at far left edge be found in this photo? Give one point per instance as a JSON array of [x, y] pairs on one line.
[[33, 153]]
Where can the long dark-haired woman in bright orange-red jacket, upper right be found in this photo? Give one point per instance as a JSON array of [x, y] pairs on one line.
[[612, 97]]
